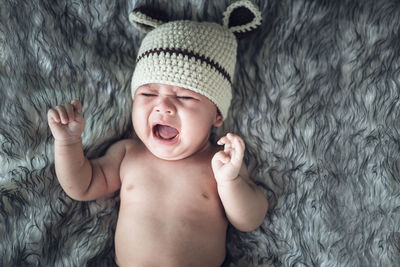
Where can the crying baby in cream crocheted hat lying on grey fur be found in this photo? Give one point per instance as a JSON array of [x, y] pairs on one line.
[[178, 192]]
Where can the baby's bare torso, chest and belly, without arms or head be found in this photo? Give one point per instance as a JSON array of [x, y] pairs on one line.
[[171, 209]]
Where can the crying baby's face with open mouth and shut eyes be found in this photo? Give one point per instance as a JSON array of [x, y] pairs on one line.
[[173, 122]]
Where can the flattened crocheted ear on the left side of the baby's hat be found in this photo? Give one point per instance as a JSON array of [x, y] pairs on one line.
[[146, 18]]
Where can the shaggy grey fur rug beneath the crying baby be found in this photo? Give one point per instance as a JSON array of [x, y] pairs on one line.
[[316, 99]]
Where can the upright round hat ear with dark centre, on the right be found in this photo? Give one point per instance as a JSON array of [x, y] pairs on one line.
[[242, 18]]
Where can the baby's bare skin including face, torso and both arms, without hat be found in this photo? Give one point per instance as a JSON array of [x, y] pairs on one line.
[[178, 192]]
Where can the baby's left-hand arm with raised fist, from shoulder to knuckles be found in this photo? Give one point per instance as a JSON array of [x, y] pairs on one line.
[[80, 178]]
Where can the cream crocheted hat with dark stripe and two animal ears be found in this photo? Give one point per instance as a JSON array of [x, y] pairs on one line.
[[199, 56]]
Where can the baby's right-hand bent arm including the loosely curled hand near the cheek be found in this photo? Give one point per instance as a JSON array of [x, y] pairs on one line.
[[244, 203]]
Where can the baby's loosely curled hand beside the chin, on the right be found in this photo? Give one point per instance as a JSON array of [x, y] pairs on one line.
[[226, 164]]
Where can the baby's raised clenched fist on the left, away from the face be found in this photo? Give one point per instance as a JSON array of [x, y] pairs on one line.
[[66, 122]]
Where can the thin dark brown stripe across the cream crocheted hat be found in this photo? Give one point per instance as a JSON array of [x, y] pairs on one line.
[[190, 54]]
